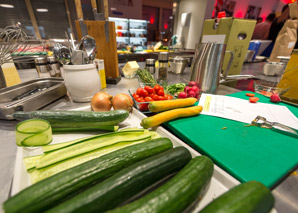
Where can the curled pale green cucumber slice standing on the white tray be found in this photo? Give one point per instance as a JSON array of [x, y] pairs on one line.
[[34, 132]]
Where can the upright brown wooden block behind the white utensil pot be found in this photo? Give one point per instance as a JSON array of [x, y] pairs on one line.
[[105, 50]]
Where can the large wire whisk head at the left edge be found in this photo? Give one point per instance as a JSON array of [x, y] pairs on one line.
[[14, 42]]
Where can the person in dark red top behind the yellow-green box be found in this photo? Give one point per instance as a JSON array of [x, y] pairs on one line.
[[261, 31]]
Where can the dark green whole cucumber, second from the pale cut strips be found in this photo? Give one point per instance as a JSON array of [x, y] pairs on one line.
[[126, 183]]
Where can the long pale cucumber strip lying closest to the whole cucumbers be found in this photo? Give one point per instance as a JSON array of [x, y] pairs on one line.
[[40, 174]]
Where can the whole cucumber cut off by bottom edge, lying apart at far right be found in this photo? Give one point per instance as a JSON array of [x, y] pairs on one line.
[[247, 197]]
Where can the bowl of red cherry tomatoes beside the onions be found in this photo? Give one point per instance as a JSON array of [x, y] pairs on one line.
[[144, 95]]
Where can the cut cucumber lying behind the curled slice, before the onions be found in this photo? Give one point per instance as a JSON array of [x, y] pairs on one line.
[[75, 119]]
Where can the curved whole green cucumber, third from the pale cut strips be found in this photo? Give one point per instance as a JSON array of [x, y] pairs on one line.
[[178, 193]]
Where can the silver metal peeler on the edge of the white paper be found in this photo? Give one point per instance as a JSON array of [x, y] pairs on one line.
[[260, 121]]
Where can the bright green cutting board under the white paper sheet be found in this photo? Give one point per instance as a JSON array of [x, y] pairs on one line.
[[246, 152]]
